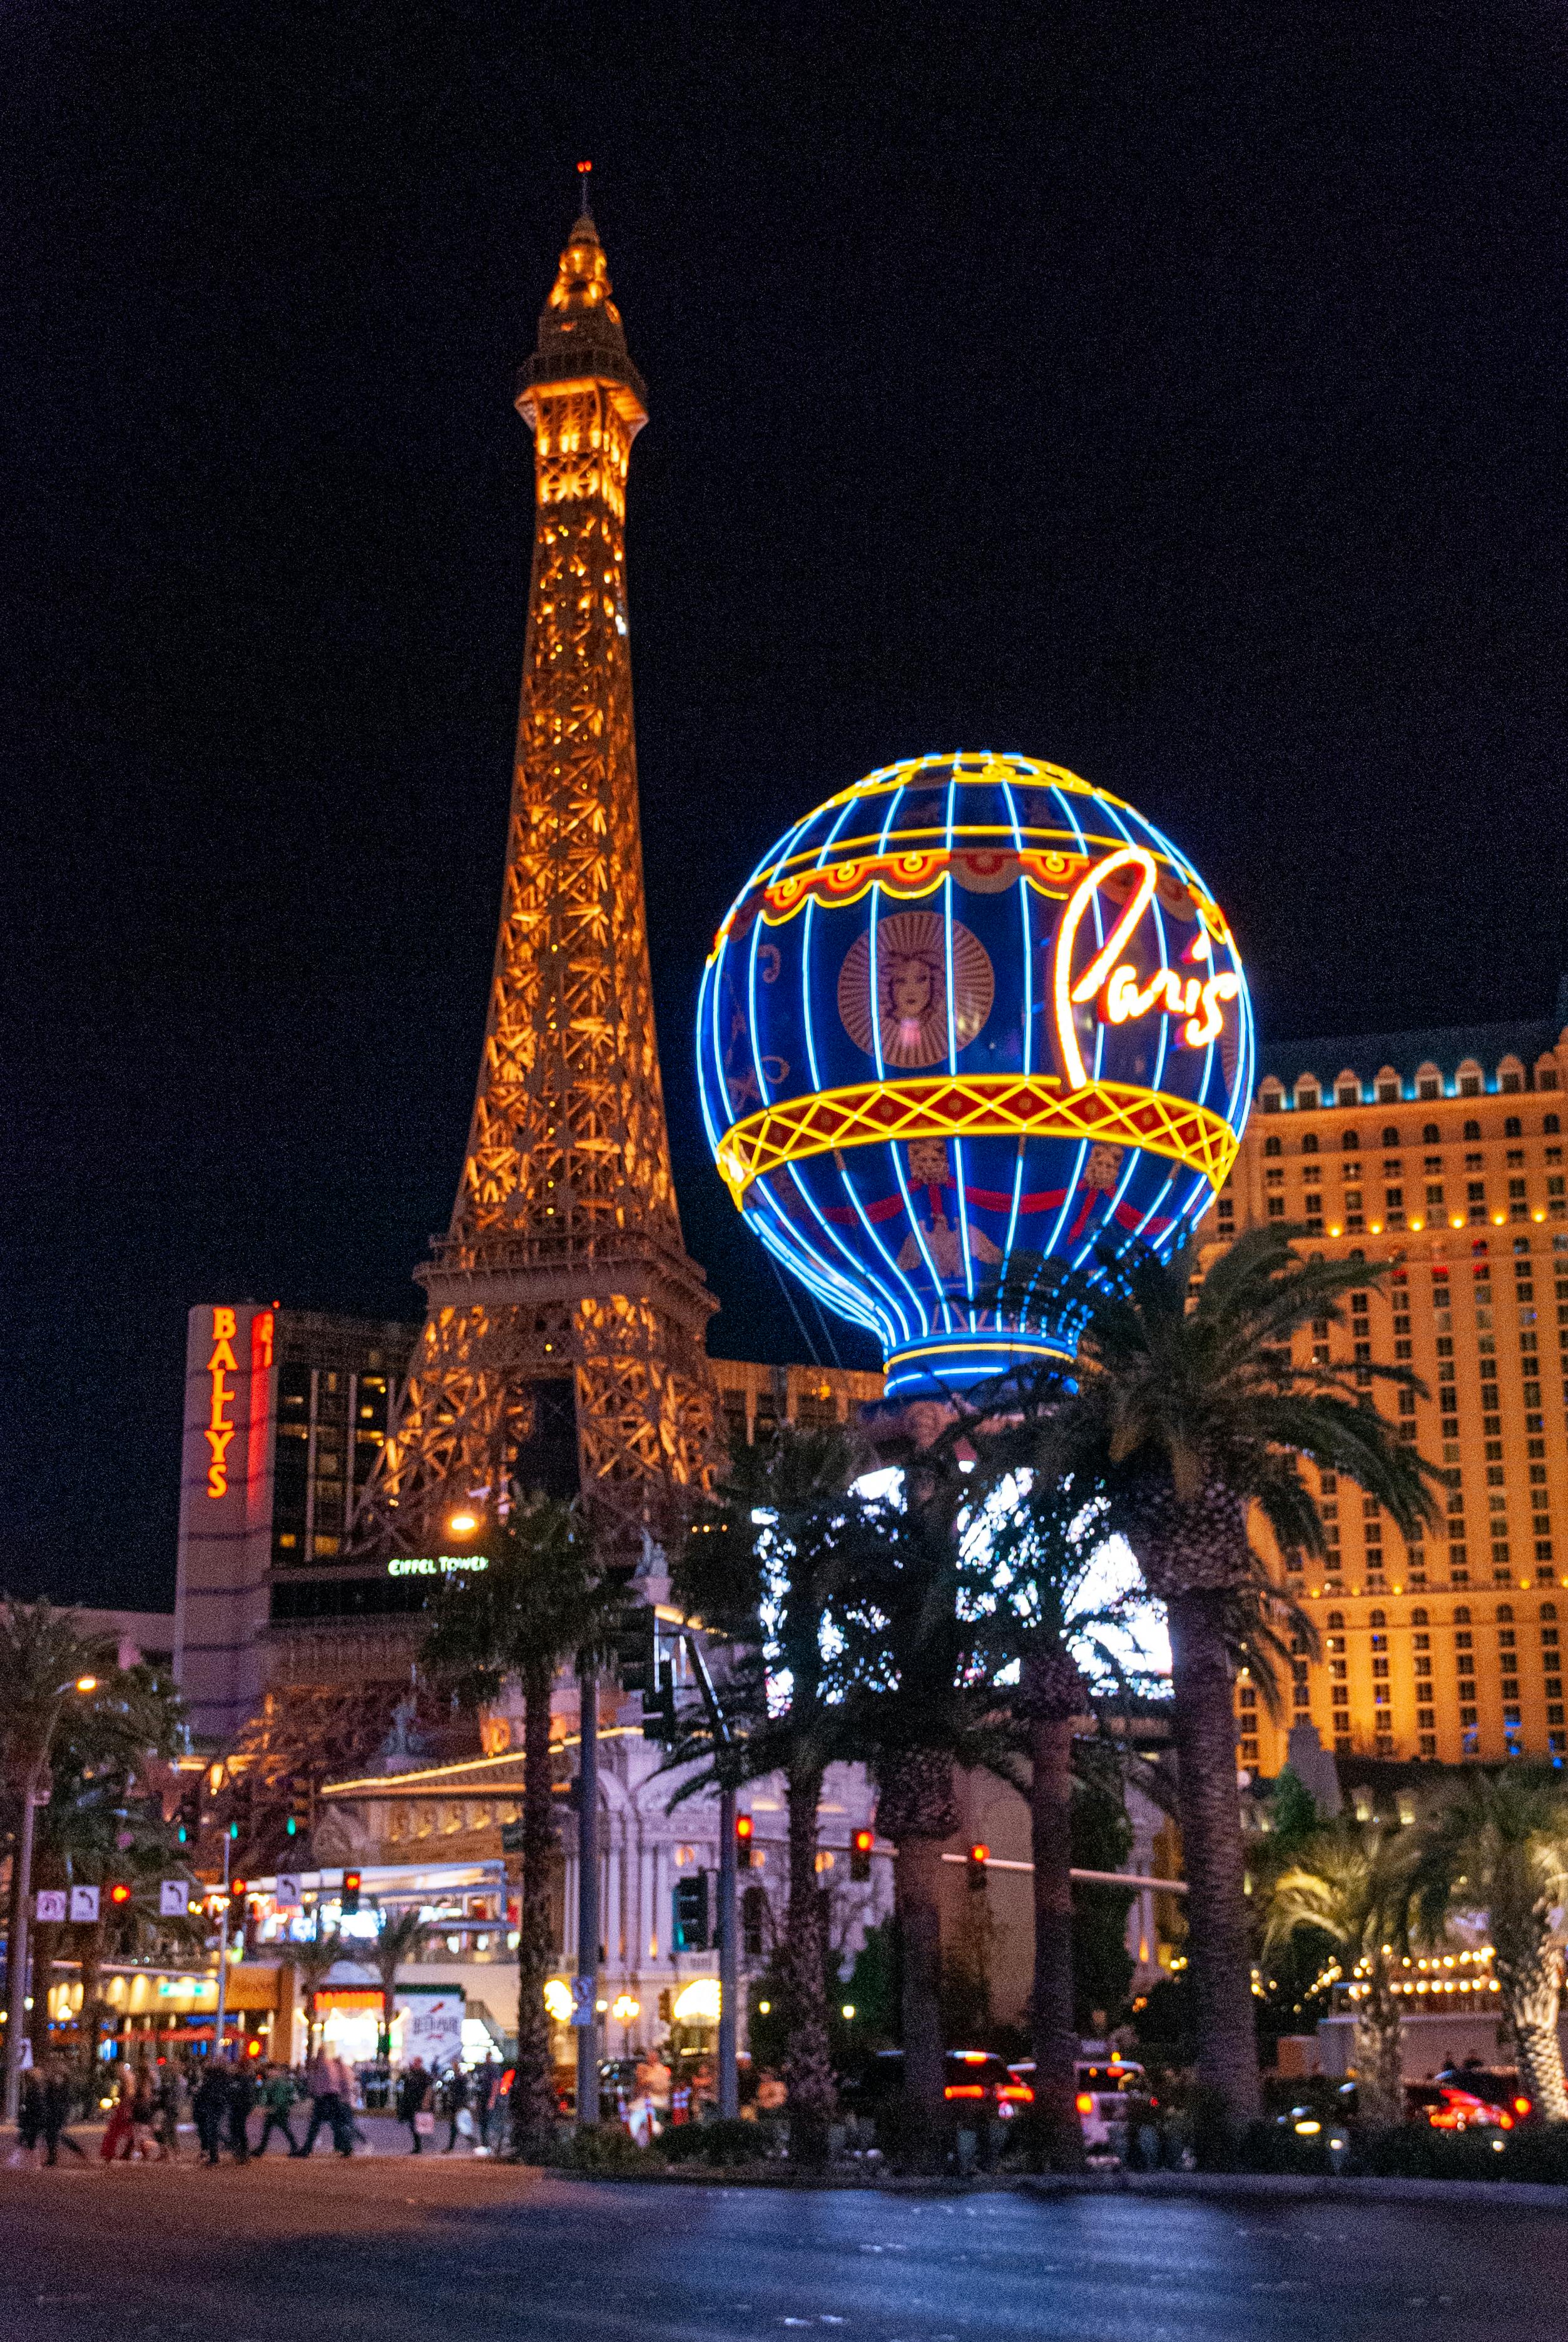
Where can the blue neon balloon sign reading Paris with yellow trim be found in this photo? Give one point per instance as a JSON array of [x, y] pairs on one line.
[[970, 1018]]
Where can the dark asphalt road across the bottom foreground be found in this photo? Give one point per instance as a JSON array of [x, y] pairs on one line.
[[460, 2252]]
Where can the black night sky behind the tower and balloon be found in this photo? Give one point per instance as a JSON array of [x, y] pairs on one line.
[[1169, 392]]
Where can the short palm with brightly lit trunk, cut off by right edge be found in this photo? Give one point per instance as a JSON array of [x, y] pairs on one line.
[[1501, 1847]]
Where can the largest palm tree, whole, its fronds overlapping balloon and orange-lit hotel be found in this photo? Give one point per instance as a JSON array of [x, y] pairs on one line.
[[1195, 1413]]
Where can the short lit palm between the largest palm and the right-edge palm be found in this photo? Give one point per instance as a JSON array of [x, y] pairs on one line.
[[1349, 1882]]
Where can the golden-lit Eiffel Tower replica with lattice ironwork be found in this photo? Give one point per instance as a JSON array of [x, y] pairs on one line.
[[565, 1322]]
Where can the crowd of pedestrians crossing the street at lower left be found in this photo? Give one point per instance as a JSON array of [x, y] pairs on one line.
[[240, 2109]]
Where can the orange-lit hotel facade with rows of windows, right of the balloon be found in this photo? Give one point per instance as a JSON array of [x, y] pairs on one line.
[[1438, 1160]]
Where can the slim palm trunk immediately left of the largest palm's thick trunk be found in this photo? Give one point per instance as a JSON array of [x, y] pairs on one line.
[[1052, 2011]]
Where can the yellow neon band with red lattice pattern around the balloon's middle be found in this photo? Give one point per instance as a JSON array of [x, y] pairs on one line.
[[975, 1107]]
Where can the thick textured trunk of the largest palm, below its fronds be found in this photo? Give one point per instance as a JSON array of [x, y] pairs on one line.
[[1220, 1940]]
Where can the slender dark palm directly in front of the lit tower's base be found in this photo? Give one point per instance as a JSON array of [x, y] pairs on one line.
[[542, 1603]]
